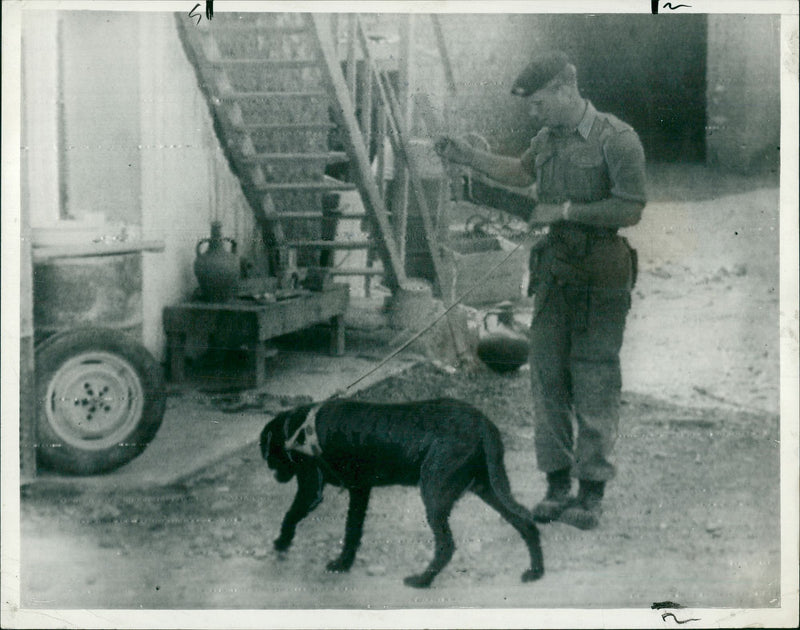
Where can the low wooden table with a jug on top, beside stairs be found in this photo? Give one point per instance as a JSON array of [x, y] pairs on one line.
[[256, 323]]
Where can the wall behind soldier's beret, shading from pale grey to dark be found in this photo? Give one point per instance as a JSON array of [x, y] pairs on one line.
[[648, 71]]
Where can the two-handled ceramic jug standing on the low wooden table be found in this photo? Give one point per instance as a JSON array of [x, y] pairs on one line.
[[215, 267]]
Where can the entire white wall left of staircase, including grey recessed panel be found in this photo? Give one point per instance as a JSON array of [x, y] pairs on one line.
[[134, 143]]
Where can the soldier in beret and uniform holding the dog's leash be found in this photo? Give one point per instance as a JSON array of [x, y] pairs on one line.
[[589, 170]]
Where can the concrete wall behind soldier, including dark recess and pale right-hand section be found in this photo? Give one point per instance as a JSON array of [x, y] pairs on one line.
[[694, 86]]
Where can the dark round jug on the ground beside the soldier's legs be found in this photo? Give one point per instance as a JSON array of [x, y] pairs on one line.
[[502, 346]]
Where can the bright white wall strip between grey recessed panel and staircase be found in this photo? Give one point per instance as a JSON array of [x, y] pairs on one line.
[[185, 180]]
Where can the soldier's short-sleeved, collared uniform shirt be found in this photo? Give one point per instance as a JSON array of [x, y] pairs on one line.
[[601, 159]]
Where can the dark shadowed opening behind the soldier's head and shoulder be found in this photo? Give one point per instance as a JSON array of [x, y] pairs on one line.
[[650, 71]]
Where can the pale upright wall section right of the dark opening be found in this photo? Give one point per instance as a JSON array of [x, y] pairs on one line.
[[743, 91]]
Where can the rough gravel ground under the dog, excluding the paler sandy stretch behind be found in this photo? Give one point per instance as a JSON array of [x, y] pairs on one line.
[[693, 518]]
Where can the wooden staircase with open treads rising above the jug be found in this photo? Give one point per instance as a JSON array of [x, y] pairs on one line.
[[266, 82]]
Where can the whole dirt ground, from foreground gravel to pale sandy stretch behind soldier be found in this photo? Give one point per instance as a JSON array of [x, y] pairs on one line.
[[693, 516]]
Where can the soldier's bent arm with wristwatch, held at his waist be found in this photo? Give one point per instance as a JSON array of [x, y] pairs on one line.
[[625, 158]]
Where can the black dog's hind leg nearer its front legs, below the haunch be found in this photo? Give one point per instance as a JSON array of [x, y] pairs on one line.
[[440, 487]]
